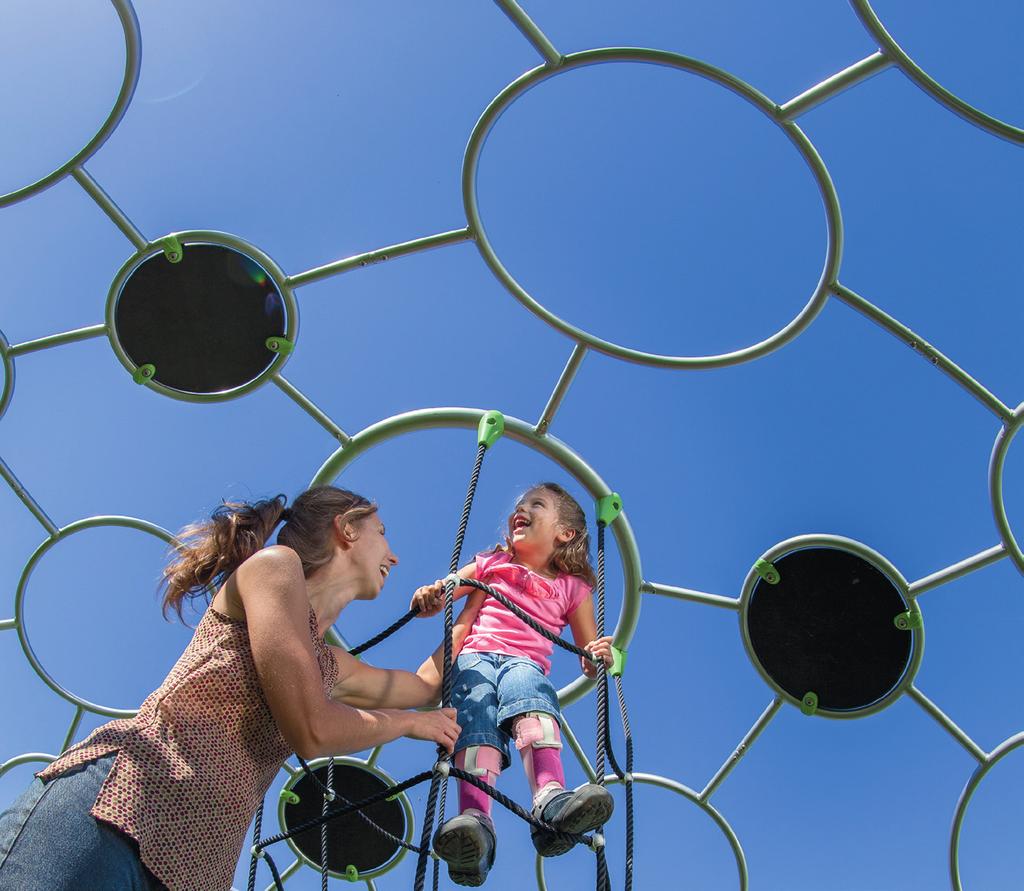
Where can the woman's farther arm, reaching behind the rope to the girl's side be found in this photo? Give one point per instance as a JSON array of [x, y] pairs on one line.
[[365, 687]]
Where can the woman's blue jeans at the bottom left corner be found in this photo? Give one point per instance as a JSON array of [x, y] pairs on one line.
[[51, 842]]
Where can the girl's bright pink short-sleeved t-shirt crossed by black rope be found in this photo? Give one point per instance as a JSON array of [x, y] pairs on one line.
[[549, 602]]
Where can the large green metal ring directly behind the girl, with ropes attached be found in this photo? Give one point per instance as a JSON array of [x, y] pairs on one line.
[[520, 432]]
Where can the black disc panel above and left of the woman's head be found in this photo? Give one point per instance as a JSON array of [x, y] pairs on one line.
[[203, 322]]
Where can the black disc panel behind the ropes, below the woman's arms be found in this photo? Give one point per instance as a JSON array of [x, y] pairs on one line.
[[351, 841]]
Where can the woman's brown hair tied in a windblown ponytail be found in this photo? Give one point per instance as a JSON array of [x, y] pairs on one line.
[[210, 550]]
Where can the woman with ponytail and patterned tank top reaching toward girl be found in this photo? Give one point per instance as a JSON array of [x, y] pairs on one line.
[[164, 799]]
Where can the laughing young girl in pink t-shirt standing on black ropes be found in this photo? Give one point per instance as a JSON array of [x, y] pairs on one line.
[[500, 686]]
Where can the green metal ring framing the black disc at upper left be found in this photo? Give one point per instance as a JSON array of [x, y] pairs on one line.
[[205, 237]]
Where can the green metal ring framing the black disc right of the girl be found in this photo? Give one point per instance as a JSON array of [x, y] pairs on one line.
[[883, 566]]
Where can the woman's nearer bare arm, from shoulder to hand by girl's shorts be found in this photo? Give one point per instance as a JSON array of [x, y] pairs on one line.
[[273, 591]]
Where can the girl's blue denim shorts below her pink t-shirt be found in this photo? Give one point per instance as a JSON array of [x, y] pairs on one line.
[[489, 690]]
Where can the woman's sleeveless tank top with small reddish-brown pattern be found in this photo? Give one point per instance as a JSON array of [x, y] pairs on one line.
[[195, 763]]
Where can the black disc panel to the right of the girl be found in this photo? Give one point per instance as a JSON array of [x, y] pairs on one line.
[[828, 628]]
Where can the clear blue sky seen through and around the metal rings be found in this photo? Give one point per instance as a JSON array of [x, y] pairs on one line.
[[646, 205]]
